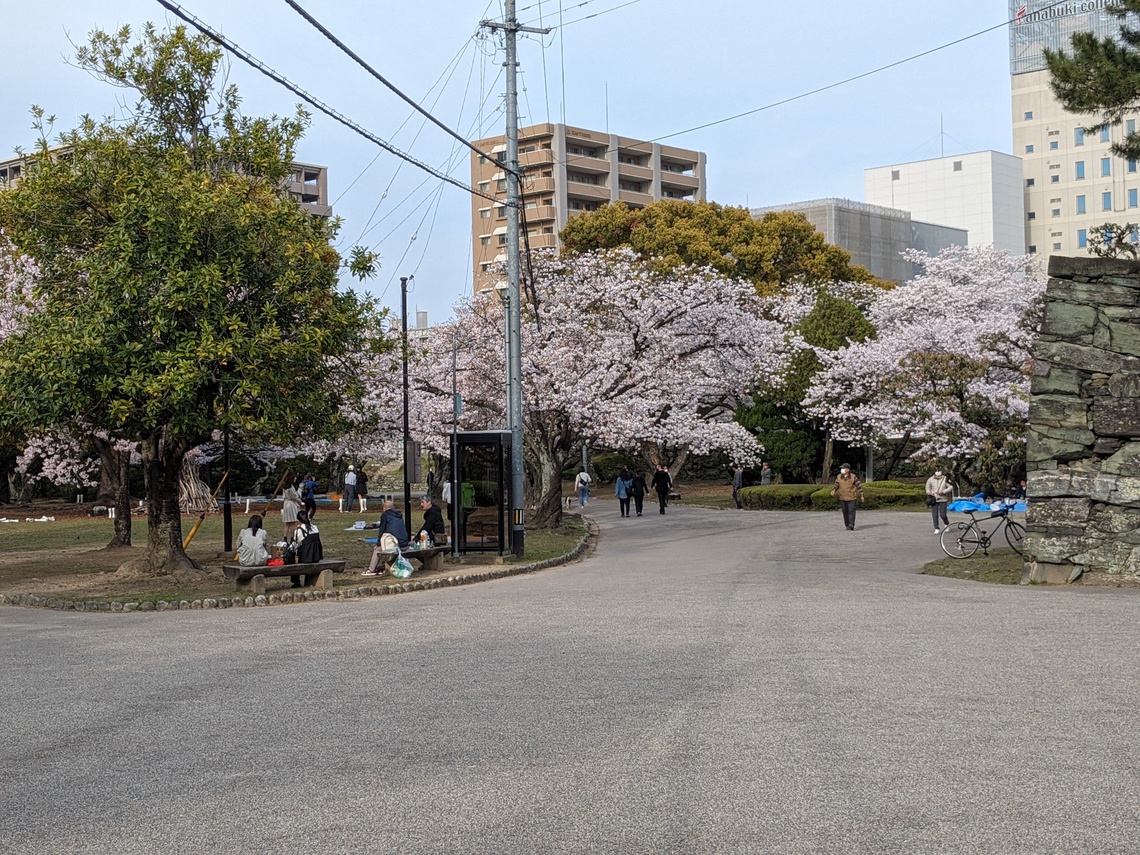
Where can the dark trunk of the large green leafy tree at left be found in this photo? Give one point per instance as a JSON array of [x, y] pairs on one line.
[[162, 465]]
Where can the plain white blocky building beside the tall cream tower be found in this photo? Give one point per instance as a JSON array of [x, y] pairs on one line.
[[981, 192]]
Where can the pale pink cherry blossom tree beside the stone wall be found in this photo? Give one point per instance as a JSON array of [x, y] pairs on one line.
[[949, 365]]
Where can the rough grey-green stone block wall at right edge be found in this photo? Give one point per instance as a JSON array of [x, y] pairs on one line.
[[1084, 455]]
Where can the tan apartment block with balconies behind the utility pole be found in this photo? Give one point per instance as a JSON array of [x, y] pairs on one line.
[[566, 172]]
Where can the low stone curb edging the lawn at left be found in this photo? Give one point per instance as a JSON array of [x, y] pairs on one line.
[[31, 601]]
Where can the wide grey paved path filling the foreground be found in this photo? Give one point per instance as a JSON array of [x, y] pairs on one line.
[[709, 682]]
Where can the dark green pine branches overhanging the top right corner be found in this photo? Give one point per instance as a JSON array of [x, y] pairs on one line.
[[1103, 76]]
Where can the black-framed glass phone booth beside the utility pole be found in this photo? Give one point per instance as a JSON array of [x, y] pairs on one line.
[[483, 463]]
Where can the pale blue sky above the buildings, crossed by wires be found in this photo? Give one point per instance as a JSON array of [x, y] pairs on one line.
[[648, 70]]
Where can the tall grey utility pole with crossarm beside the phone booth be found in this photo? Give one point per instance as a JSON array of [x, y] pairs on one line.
[[511, 29]]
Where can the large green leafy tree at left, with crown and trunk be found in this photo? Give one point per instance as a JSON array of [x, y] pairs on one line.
[[181, 291]]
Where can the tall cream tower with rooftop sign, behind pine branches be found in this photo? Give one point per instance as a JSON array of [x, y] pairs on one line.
[[1072, 182]]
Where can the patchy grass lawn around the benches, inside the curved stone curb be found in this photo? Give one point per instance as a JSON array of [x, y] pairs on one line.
[[67, 559]]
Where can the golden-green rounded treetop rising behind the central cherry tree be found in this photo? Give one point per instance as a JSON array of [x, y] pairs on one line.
[[780, 248]]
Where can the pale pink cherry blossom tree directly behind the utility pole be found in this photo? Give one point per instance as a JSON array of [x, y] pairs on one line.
[[613, 352]]
